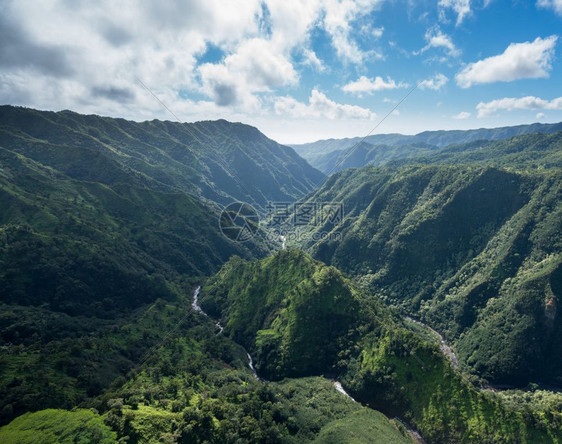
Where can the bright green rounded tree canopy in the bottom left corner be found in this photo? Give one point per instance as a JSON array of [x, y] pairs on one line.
[[58, 426]]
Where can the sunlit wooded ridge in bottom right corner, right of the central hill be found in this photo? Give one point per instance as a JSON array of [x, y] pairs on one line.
[[401, 375]]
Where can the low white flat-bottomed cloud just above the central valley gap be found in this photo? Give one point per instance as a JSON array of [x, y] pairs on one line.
[[320, 106]]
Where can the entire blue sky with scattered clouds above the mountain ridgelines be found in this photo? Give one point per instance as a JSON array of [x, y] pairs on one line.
[[299, 70]]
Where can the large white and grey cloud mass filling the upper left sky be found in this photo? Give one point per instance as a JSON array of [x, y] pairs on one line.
[[93, 57]]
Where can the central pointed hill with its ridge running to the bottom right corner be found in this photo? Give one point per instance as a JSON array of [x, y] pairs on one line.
[[308, 319]]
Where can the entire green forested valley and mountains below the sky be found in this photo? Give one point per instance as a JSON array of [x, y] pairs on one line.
[[127, 316]]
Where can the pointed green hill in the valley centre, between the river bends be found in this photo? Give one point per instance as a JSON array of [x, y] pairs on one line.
[[295, 315]]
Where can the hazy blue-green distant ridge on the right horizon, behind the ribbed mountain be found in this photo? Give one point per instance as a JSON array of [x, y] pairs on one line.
[[335, 155]]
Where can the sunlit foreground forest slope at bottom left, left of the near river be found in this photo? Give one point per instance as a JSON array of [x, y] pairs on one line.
[[191, 386]]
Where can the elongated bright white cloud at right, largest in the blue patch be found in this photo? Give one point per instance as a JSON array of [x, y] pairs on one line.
[[519, 61]]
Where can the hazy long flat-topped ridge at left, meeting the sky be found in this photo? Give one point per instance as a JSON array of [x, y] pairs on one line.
[[219, 161]]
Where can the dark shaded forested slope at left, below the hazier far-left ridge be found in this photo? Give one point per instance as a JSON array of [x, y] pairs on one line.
[[79, 259]]
